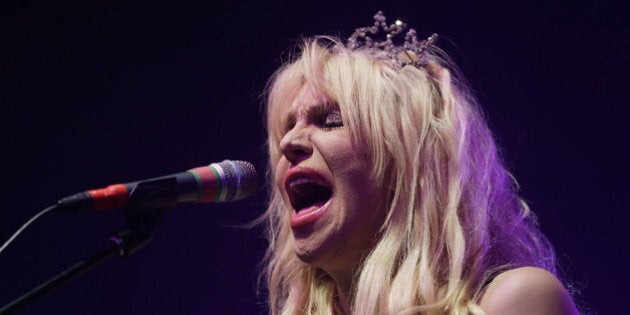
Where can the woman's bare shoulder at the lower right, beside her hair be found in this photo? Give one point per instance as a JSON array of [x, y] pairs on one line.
[[527, 290]]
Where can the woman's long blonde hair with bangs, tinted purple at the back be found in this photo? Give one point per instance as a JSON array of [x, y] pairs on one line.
[[454, 218]]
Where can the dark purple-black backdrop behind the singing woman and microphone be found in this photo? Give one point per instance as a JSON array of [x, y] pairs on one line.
[[100, 92]]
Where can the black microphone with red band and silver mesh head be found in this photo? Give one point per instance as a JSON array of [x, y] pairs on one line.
[[218, 182]]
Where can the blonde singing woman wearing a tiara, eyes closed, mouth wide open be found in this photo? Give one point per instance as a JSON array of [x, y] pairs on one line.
[[388, 192]]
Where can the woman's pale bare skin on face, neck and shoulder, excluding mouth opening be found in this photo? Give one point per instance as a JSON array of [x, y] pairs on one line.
[[315, 141]]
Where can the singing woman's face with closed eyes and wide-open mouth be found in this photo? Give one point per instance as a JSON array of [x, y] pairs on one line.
[[325, 183]]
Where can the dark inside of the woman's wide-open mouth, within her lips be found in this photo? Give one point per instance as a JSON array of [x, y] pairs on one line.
[[305, 193]]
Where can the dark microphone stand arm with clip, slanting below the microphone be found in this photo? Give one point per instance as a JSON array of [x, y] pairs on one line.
[[125, 242]]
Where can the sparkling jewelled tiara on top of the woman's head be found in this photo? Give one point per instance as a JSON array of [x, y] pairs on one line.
[[409, 48]]
